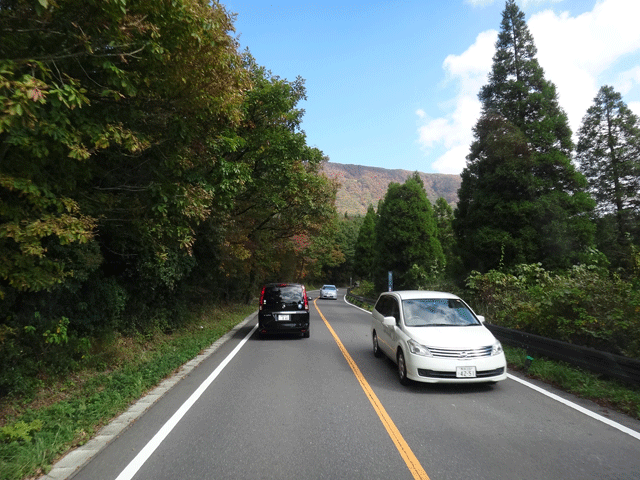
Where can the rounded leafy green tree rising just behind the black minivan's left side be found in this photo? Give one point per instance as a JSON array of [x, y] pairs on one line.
[[281, 192]]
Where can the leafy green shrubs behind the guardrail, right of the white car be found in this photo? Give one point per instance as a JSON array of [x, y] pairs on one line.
[[581, 306]]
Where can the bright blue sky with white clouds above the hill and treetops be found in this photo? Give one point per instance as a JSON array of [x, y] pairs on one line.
[[394, 84]]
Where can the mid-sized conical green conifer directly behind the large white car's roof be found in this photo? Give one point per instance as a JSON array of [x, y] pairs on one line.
[[406, 235]]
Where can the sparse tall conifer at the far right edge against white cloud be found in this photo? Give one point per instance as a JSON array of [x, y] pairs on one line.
[[609, 156]]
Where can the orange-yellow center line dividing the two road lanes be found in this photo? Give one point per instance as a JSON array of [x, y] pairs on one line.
[[405, 451]]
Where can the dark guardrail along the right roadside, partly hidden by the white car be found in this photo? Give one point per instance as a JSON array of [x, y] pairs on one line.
[[615, 366]]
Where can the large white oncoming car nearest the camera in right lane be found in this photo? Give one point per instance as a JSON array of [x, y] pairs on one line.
[[435, 337]]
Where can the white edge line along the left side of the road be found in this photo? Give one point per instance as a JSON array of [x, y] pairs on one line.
[[157, 439]]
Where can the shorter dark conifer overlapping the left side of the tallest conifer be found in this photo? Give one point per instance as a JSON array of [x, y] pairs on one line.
[[494, 215]]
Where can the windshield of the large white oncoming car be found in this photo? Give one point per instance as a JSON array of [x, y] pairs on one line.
[[437, 312]]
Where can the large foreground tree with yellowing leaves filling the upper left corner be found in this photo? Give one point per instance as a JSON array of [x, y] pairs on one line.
[[111, 114]]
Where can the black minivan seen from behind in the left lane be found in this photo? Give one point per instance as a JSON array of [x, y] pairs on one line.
[[284, 308]]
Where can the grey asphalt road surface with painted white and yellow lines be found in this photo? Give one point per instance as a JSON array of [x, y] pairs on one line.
[[324, 407]]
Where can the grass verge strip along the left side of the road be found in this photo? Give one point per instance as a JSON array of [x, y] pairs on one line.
[[67, 412]]
